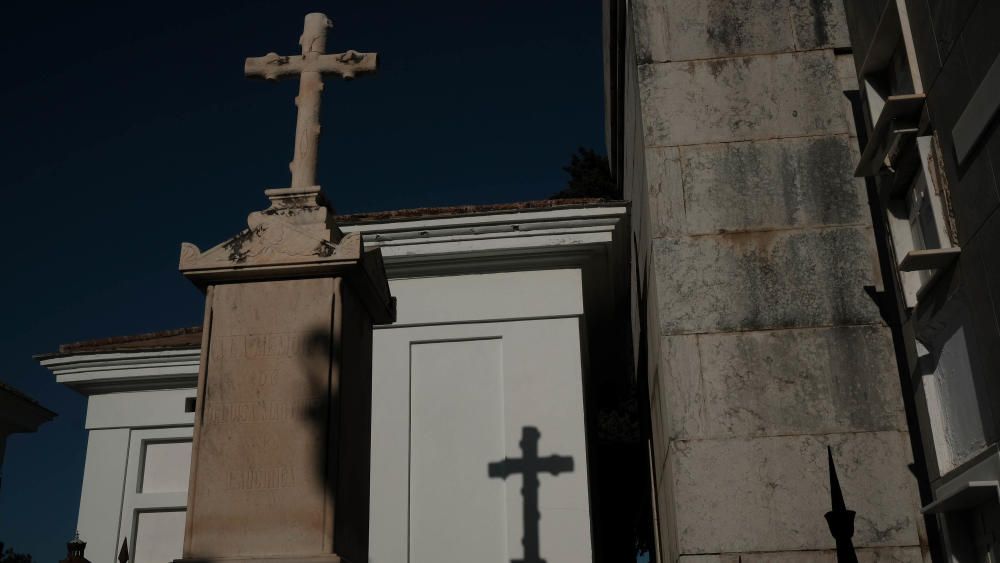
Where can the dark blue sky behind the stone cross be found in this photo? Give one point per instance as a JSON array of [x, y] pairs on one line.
[[127, 130]]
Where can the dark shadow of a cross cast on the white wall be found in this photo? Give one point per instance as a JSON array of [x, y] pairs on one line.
[[530, 466]]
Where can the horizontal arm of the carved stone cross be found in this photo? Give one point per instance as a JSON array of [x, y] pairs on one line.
[[273, 66]]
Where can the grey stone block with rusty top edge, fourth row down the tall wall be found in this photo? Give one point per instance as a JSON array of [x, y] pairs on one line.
[[772, 279]]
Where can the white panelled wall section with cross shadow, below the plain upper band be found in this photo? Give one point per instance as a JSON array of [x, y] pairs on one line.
[[451, 402]]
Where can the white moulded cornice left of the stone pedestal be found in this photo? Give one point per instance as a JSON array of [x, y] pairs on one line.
[[141, 370]]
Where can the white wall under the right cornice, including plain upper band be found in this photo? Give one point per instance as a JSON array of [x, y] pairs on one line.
[[454, 395]]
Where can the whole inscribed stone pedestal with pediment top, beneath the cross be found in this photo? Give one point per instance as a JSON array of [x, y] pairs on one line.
[[280, 462]]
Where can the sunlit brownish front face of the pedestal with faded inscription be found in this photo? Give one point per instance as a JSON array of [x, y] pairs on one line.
[[261, 456]]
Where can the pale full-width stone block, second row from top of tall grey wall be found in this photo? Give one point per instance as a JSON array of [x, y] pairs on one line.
[[741, 98]]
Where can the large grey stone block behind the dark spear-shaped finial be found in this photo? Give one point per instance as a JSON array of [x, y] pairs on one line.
[[743, 495]]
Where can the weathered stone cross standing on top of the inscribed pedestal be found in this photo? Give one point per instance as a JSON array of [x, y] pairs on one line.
[[310, 67]]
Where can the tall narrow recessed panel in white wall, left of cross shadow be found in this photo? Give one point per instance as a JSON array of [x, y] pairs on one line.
[[457, 513]]
